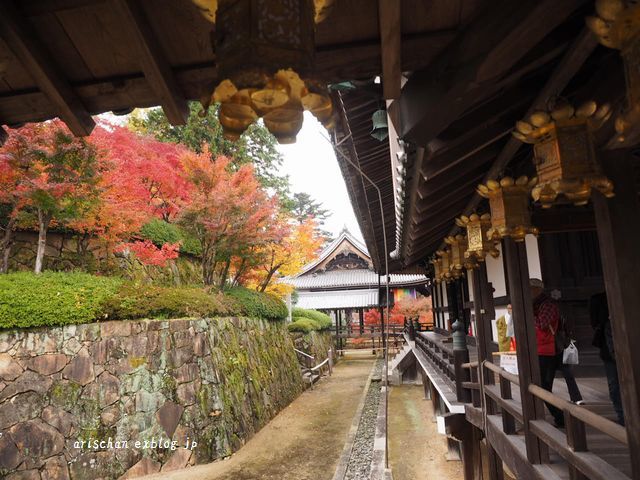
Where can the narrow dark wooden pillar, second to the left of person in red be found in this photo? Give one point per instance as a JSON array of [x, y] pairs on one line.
[[485, 312]]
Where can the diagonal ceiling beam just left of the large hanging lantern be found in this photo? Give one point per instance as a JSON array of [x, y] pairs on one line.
[[154, 65]]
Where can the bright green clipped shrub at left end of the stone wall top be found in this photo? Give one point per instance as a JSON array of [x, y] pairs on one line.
[[52, 298]]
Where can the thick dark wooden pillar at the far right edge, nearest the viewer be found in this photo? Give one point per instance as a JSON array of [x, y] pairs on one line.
[[618, 224]]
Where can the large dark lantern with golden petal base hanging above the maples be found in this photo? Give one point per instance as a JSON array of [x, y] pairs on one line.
[[261, 49]]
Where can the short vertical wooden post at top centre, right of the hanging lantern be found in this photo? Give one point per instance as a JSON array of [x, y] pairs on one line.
[[390, 39]]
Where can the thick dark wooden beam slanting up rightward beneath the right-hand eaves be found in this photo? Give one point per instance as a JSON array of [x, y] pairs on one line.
[[433, 98]]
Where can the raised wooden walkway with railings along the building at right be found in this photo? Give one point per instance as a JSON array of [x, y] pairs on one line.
[[503, 422]]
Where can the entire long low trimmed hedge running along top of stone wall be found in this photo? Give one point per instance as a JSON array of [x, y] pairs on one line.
[[62, 298]]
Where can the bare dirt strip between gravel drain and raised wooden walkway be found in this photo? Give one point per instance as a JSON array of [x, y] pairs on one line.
[[416, 450]]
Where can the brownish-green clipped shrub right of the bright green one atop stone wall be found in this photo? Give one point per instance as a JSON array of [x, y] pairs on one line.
[[149, 301]]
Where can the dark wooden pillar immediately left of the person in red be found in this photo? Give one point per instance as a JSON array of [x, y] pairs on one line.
[[515, 255]]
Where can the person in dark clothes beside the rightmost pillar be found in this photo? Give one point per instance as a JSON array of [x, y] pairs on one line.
[[603, 339]]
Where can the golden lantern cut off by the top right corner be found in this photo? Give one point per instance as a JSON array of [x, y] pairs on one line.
[[617, 25]]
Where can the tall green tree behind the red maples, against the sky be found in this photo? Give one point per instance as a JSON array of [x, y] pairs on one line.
[[256, 146]]
